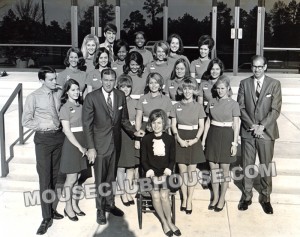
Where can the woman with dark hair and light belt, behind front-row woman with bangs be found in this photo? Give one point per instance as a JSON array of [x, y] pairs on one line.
[[134, 67]]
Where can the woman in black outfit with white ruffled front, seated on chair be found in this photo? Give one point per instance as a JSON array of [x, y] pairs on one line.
[[158, 159]]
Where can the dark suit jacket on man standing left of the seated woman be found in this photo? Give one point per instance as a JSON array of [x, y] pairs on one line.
[[98, 127]]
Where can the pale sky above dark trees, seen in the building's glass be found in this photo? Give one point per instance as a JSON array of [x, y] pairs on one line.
[[59, 10]]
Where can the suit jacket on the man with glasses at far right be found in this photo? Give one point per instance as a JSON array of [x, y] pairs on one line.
[[265, 111]]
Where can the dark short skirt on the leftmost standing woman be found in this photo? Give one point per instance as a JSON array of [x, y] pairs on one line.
[[71, 158]]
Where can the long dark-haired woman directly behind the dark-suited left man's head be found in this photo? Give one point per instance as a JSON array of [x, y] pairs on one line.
[[101, 61]]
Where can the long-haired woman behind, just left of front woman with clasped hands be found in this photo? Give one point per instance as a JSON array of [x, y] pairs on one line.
[[180, 71]]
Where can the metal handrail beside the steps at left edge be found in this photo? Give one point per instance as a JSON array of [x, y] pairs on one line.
[[18, 91]]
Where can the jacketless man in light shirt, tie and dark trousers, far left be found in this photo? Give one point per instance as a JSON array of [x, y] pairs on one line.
[[41, 115]]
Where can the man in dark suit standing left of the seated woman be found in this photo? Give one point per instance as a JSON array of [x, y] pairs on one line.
[[104, 113]]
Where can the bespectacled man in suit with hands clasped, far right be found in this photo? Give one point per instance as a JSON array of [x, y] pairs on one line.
[[260, 102]]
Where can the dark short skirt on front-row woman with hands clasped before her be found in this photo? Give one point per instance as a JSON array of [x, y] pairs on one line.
[[189, 155]]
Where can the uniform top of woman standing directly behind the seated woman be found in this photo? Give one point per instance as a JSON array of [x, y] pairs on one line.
[[147, 103]]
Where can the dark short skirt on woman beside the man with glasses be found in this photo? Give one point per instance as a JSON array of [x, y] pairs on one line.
[[218, 145]]
